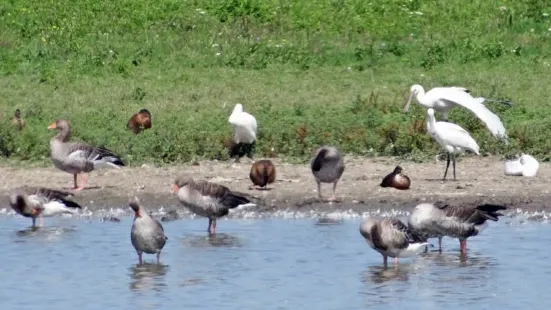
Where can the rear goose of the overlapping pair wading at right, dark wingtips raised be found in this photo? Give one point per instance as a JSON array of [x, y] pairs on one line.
[[439, 220]]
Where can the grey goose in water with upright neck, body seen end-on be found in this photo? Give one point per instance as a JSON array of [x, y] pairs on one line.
[[147, 234]]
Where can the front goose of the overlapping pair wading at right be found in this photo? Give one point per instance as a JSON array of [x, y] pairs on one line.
[[391, 237]]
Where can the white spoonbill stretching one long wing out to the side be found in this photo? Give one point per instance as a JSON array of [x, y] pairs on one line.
[[443, 99]]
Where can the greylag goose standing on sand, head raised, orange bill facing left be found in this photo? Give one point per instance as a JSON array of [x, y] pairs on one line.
[[78, 158]]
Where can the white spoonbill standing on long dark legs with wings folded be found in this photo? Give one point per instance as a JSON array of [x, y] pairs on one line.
[[451, 137]]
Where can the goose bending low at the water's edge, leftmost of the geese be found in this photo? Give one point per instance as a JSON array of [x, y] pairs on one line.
[[41, 202]]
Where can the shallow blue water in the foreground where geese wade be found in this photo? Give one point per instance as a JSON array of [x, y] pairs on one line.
[[265, 263]]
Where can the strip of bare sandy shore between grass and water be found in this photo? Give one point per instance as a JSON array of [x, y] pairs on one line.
[[480, 180]]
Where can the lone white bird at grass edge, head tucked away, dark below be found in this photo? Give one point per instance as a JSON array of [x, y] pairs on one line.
[[244, 131]]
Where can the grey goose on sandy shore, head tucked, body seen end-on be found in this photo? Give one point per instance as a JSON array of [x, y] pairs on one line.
[[327, 167]]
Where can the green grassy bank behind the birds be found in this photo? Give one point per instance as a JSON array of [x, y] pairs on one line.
[[312, 72]]
